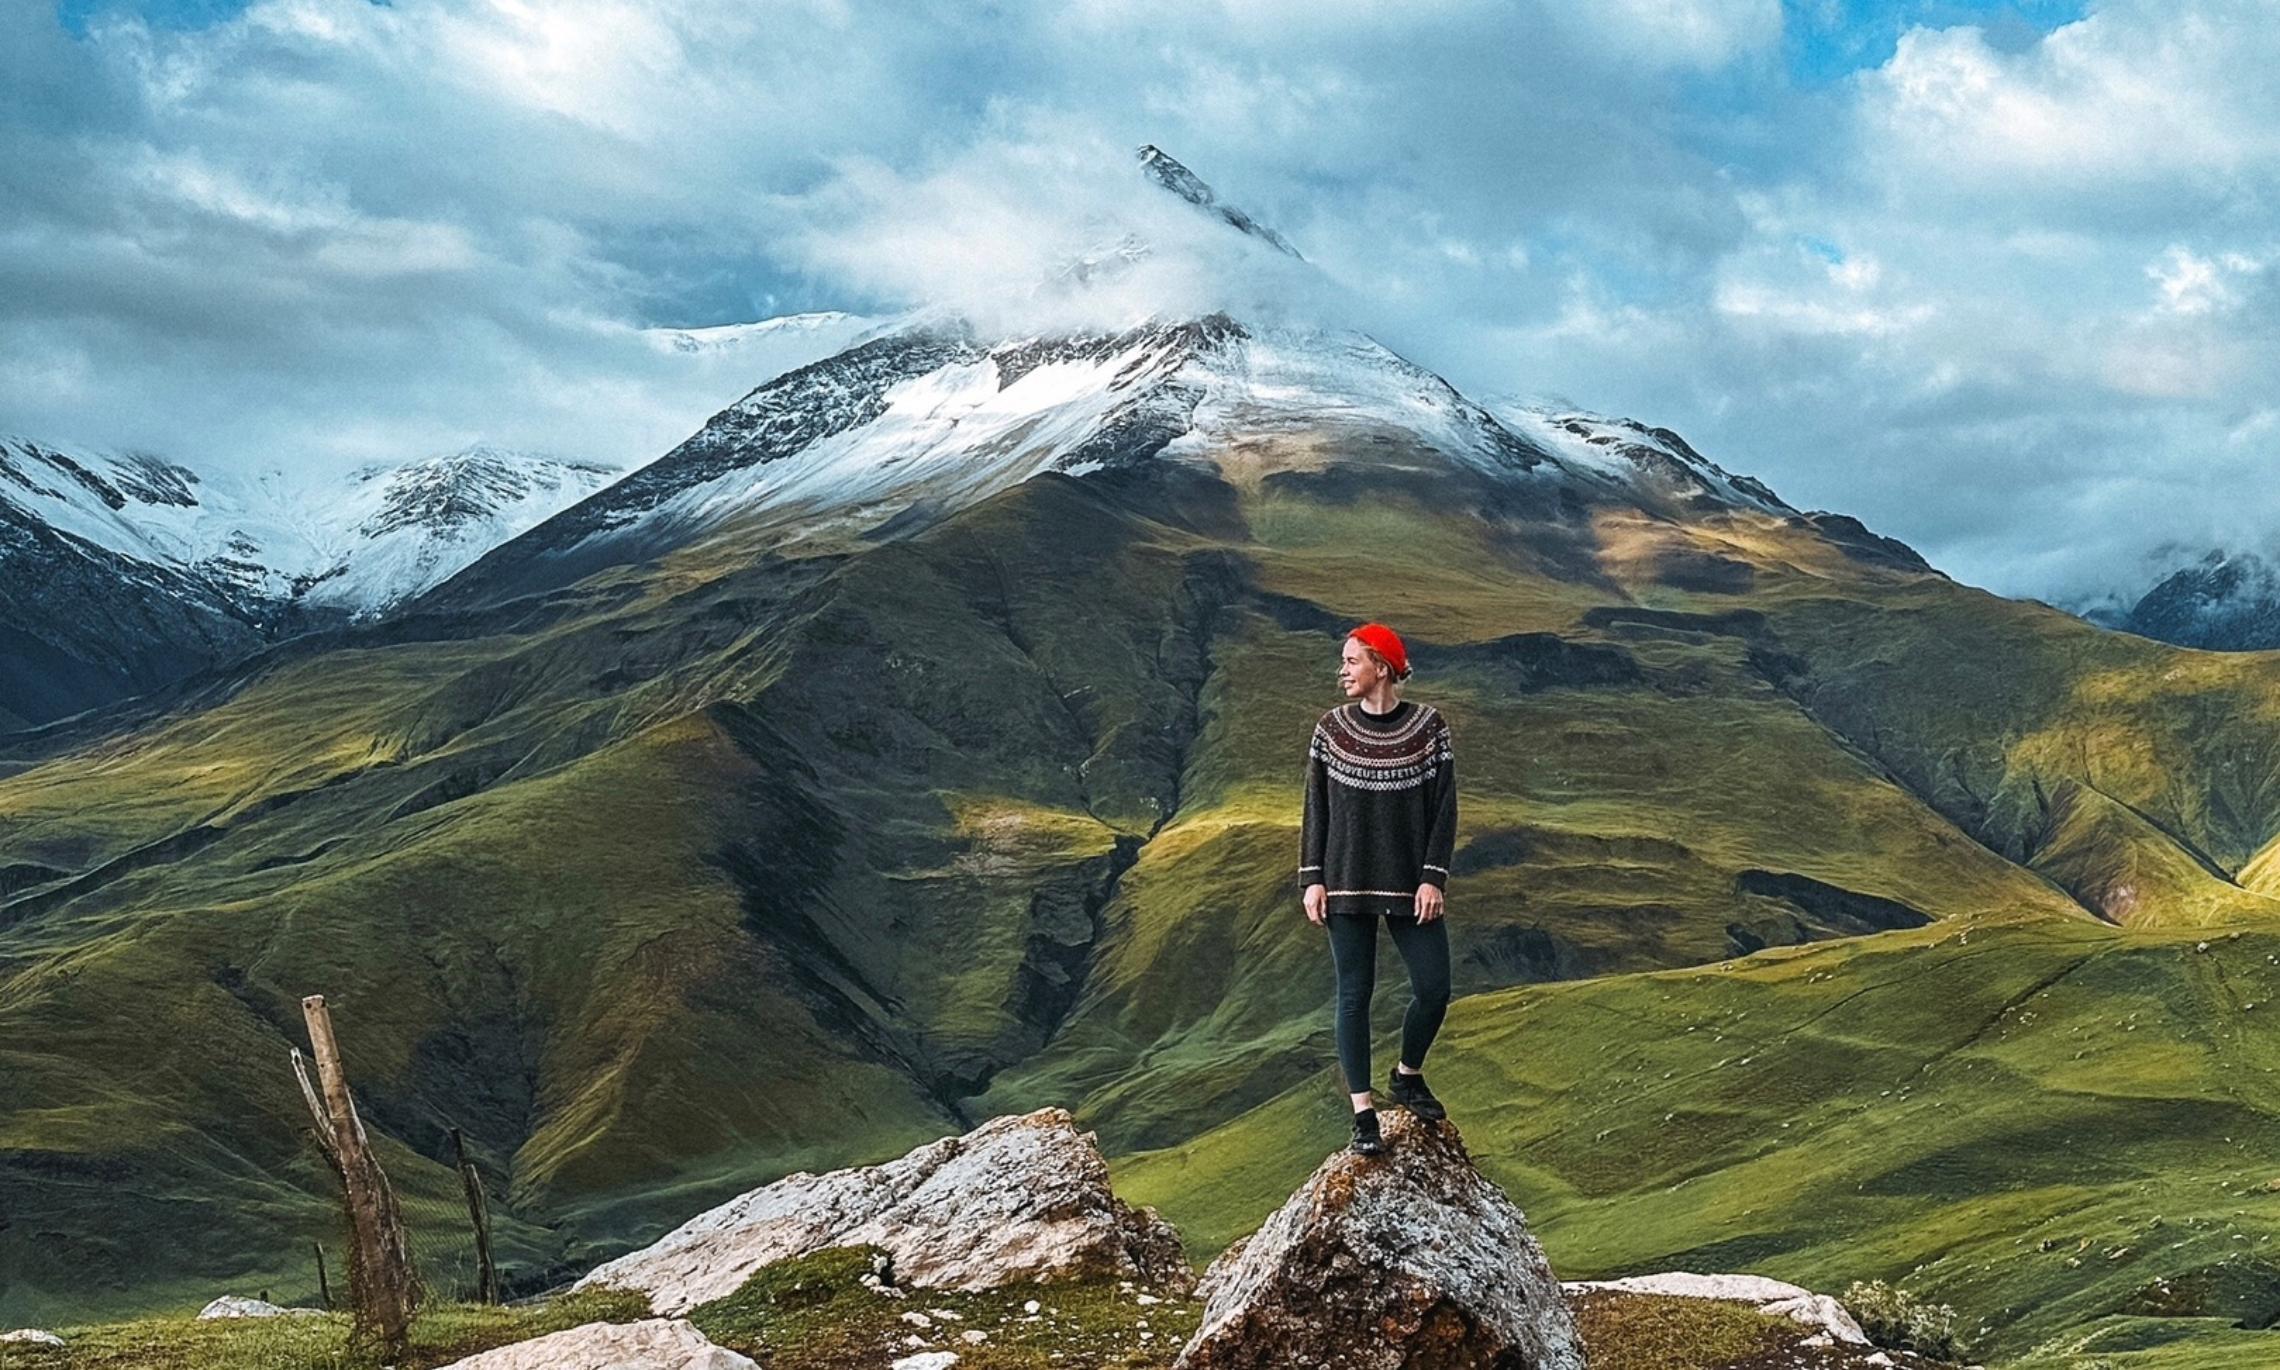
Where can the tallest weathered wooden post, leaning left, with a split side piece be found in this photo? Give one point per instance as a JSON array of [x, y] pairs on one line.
[[384, 1289]]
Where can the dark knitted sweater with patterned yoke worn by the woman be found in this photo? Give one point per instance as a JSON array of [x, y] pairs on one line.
[[1381, 810]]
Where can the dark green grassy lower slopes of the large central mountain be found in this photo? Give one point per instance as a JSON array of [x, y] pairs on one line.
[[765, 858]]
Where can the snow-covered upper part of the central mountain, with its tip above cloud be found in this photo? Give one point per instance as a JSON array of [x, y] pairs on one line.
[[927, 416]]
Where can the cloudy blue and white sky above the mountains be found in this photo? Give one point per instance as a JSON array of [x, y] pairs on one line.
[[1996, 277]]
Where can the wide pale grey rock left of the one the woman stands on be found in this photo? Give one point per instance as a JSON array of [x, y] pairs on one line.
[[1023, 1198]]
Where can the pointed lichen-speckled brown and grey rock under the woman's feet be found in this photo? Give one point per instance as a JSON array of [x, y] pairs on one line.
[[1406, 1259]]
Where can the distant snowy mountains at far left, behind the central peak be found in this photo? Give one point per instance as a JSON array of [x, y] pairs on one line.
[[122, 571]]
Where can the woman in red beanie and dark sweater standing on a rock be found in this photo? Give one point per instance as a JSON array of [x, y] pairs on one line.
[[1378, 829]]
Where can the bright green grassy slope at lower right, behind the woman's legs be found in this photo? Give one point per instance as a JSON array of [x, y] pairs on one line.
[[2051, 1125]]
